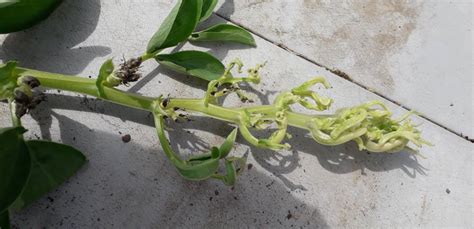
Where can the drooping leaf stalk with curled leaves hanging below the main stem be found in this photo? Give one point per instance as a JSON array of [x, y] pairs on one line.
[[203, 166]]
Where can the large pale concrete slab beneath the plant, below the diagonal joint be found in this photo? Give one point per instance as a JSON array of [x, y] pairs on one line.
[[132, 185]]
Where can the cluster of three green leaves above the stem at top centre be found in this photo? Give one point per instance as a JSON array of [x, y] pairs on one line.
[[179, 26]]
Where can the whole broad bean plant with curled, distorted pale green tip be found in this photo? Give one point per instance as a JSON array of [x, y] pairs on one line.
[[29, 169]]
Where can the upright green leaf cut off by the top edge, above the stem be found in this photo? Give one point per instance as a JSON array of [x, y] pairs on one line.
[[177, 26]]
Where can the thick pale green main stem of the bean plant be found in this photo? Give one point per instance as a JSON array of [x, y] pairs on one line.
[[88, 87]]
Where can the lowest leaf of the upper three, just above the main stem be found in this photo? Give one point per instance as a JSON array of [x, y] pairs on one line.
[[194, 63]]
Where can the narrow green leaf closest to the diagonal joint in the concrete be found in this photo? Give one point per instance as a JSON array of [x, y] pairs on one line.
[[224, 32]]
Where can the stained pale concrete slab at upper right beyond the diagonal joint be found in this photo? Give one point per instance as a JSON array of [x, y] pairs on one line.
[[417, 53]]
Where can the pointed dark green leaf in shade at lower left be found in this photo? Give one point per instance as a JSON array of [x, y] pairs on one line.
[[52, 164]]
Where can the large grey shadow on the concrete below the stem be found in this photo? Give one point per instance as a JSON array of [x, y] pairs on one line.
[[132, 184]]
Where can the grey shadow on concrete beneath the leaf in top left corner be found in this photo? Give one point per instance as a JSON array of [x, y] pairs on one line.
[[55, 40]]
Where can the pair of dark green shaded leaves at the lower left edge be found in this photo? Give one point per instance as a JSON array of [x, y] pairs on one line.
[[31, 169]]
